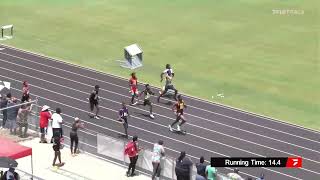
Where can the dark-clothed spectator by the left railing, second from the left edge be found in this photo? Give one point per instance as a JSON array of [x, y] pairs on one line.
[[12, 113]]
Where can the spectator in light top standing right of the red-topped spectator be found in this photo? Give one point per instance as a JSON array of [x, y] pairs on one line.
[[158, 153]]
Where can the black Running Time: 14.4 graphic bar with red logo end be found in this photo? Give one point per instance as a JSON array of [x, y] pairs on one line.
[[288, 162]]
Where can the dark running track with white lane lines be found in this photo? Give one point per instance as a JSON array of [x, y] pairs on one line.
[[213, 129]]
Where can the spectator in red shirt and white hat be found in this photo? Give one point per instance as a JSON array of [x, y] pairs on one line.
[[45, 115]]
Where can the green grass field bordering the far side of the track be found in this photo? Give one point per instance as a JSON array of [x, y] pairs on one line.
[[262, 62]]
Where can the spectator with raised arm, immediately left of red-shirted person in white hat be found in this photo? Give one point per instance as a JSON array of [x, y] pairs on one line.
[[22, 119]]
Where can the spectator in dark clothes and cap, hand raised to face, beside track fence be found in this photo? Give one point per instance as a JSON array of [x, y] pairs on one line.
[[74, 135]]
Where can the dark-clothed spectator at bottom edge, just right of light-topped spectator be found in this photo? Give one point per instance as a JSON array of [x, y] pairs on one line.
[[183, 167]]
